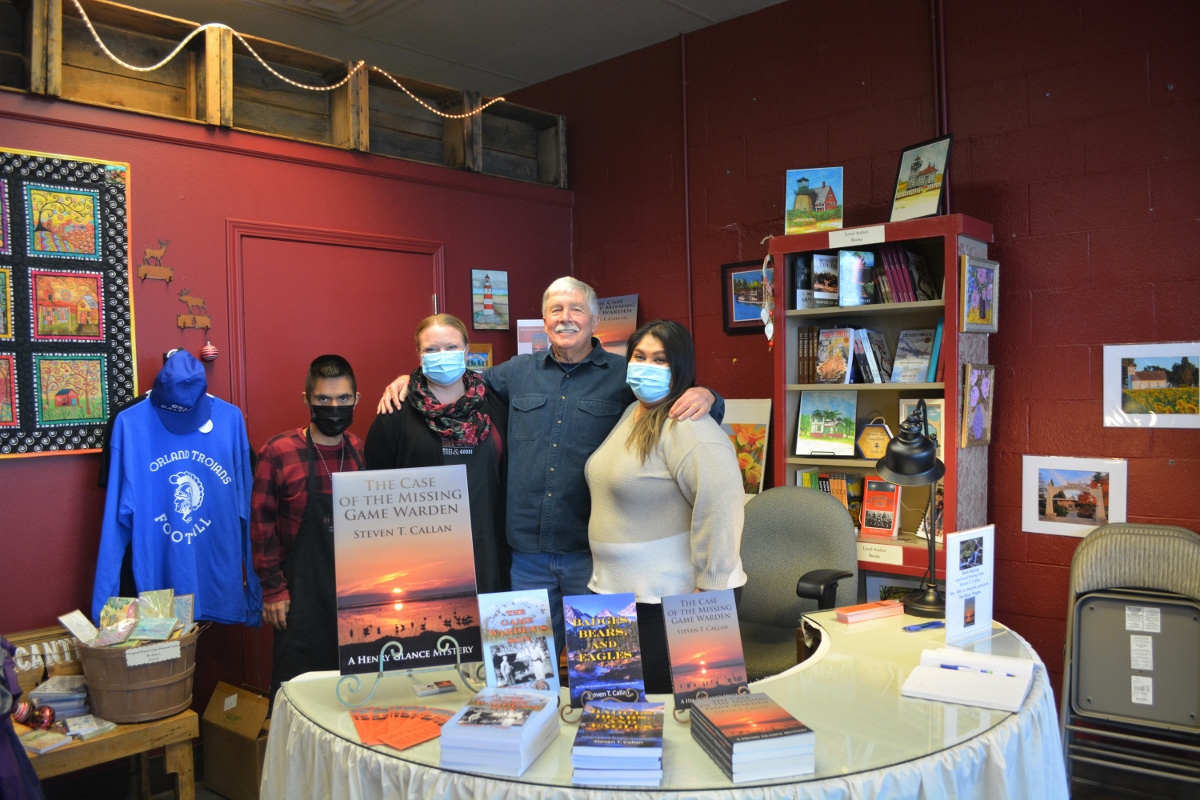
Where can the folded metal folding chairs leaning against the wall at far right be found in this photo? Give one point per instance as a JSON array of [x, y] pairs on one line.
[[1131, 697]]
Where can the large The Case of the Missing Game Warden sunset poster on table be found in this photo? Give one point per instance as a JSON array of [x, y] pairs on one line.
[[405, 569]]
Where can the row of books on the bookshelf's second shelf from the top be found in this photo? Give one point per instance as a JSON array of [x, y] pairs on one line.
[[849, 356]]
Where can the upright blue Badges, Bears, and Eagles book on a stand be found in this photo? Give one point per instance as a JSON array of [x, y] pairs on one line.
[[604, 659]]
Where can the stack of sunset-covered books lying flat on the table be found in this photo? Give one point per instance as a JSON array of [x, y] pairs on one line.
[[752, 738]]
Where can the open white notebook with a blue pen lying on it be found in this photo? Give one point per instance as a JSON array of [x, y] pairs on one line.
[[980, 679]]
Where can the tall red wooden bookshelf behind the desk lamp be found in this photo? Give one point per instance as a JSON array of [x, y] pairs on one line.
[[941, 240]]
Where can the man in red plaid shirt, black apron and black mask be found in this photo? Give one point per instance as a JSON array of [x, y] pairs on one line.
[[292, 525]]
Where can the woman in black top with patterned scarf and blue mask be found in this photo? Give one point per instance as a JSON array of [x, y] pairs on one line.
[[451, 418]]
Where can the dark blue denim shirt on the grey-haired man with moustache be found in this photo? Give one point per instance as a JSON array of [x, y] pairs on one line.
[[557, 419]]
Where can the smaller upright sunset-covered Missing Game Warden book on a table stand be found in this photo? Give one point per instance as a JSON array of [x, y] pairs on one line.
[[705, 646]]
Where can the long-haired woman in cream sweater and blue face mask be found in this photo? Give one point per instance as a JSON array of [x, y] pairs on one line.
[[667, 496]]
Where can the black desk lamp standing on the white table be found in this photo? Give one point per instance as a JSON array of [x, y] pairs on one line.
[[911, 460]]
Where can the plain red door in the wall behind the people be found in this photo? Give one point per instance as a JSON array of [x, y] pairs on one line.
[[305, 294]]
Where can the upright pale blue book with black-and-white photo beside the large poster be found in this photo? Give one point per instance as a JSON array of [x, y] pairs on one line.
[[519, 640]]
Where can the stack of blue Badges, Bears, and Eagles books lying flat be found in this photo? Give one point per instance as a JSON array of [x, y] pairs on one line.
[[619, 744]]
